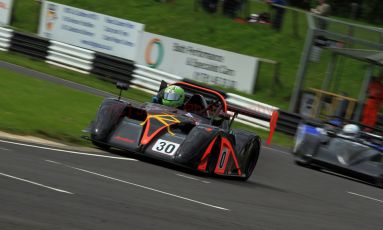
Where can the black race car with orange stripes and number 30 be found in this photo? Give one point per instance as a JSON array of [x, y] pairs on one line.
[[198, 135]]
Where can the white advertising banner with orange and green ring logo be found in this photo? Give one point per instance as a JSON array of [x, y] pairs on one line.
[[198, 62]]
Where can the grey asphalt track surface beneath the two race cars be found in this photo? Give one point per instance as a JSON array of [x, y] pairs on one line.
[[45, 188]]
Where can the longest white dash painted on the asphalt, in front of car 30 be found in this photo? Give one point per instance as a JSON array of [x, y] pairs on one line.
[[140, 186]]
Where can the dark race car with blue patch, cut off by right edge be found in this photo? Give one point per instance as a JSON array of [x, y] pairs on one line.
[[327, 146]]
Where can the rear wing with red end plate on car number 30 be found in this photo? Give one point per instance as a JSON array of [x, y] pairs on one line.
[[254, 117]]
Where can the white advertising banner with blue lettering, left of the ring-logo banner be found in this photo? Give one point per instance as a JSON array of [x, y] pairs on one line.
[[90, 30]]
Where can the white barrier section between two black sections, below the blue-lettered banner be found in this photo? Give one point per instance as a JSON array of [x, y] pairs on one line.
[[71, 57]]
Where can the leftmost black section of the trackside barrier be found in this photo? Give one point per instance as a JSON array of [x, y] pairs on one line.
[[31, 45]]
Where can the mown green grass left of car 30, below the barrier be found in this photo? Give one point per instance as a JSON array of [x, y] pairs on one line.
[[35, 107]]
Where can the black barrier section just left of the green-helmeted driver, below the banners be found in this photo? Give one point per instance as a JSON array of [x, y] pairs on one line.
[[113, 67]]
